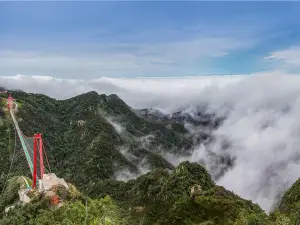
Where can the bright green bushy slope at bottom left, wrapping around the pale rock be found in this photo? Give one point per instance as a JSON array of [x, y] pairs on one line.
[[74, 208]]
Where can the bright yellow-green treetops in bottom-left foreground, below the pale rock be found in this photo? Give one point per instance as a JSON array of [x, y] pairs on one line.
[[77, 209]]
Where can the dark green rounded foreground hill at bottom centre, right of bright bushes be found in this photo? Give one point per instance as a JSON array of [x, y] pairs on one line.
[[165, 198]]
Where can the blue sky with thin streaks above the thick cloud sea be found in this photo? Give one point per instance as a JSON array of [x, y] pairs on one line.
[[138, 39]]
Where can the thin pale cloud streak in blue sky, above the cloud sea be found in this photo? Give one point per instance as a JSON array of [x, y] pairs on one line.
[[117, 59]]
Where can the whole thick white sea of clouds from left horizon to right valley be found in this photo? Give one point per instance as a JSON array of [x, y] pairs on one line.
[[262, 125]]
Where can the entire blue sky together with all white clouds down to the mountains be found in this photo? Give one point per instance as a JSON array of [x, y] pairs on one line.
[[170, 56]]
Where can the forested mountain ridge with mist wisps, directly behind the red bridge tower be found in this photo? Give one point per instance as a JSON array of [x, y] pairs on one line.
[[92, 137]]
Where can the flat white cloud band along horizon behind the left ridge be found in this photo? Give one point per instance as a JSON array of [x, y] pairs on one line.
[[137, 92]]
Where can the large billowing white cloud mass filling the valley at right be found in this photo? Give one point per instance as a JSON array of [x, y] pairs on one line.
[[263, 128]]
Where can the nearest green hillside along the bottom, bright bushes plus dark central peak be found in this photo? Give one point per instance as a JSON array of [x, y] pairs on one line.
[[158, 197]]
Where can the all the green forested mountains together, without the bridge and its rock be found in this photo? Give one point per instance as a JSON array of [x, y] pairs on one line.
[[95, 141]]
